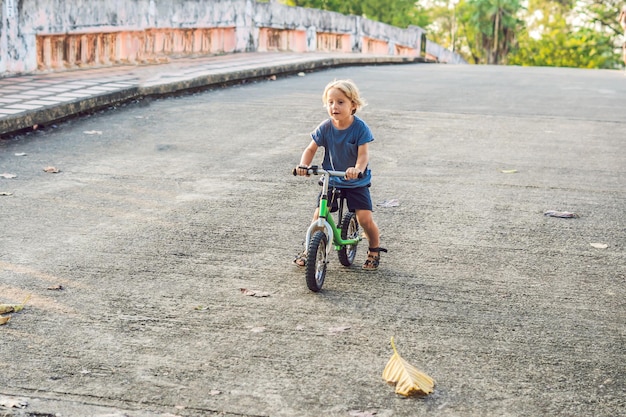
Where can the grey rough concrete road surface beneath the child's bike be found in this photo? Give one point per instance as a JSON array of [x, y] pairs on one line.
[[135, 253]]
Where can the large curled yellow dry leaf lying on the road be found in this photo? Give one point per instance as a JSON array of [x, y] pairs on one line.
[[407, 378]]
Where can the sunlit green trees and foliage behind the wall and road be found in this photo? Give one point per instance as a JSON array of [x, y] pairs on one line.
[[566, 33]]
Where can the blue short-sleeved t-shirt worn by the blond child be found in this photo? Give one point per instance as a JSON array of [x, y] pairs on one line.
[[341, 149]]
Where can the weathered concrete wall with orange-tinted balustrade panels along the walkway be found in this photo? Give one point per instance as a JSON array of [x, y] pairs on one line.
[[54, 35]]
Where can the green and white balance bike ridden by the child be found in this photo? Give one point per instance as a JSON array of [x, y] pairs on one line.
[[345, 235]]
